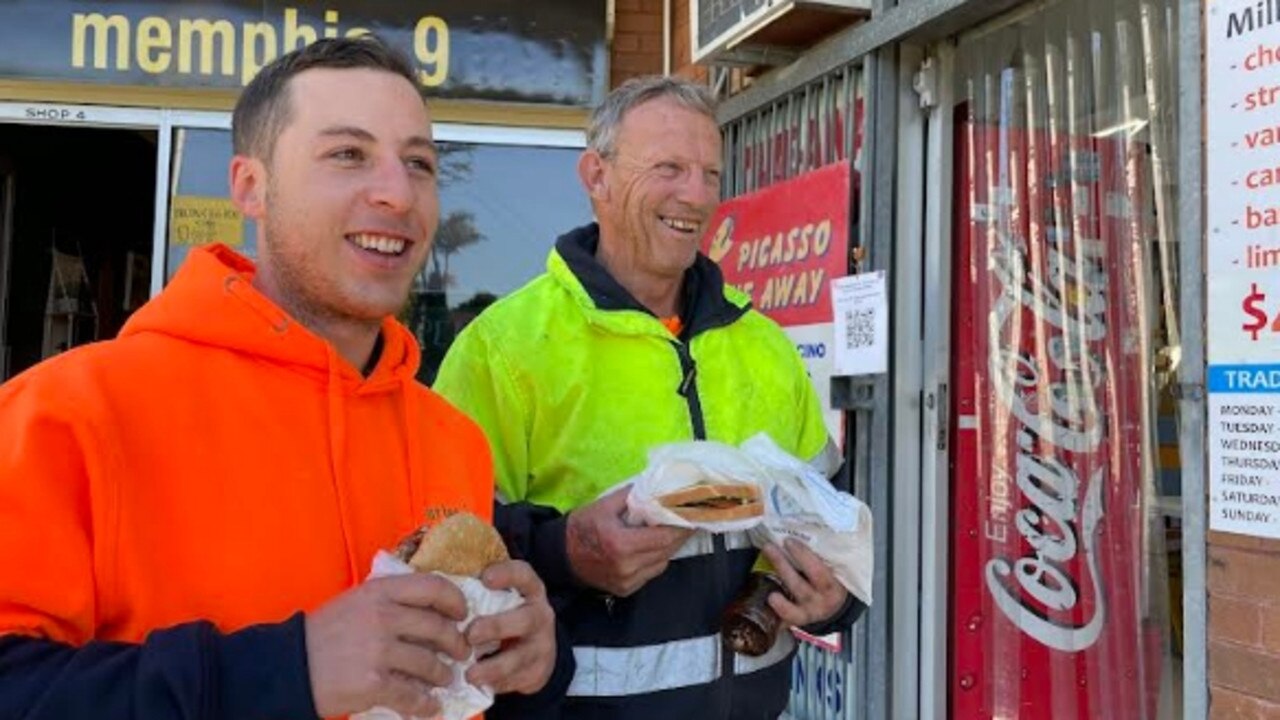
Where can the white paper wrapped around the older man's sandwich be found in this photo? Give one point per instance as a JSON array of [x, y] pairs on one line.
[[679, 466]]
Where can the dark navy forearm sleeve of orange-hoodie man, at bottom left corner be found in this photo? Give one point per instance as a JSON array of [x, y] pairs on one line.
[[189, 672]]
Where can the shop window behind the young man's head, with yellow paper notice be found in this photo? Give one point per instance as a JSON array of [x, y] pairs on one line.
[[502, 207]]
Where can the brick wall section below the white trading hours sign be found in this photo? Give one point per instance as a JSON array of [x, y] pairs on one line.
[[1244, 627]]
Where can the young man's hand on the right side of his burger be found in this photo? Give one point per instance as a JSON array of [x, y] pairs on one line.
[[528, 635]]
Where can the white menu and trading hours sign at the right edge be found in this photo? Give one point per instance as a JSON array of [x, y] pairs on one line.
[[1244, 253]]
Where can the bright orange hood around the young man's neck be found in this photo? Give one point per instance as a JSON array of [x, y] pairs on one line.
[[212, 302]]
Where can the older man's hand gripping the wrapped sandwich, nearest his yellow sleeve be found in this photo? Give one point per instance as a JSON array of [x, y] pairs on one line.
[[607, 554]]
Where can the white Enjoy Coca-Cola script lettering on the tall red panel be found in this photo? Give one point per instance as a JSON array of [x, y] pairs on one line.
[[1046, 385]]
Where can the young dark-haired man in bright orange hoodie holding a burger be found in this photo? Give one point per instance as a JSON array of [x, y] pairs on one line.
[[189, 513]]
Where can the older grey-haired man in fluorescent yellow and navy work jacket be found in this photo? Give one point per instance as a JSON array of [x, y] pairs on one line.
[[632, 340]]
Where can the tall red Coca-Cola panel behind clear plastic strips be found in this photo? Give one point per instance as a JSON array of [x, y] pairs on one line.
[[1053, 603]]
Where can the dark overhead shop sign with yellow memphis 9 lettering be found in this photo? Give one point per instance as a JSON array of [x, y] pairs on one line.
[[548, 53]]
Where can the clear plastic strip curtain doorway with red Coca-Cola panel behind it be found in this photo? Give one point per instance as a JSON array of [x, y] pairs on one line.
[[1066, 349]]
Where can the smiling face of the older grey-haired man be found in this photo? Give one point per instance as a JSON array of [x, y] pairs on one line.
[[659, 189]]
